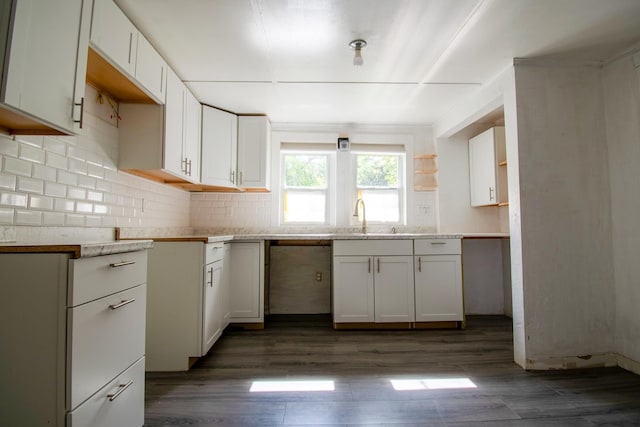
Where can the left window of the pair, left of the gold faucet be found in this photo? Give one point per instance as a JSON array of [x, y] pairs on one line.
[[305, 188]]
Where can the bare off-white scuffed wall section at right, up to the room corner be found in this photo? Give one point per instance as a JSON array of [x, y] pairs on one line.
[[567, 265]]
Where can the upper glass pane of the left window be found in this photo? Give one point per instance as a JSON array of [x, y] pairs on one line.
[[305, 170]]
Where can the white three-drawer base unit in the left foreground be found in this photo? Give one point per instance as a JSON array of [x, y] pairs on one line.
[[73, 337]]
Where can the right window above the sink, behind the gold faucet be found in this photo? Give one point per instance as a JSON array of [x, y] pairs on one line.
[[378, 181]]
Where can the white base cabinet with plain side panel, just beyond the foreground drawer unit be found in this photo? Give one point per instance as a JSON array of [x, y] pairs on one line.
[[186, 304]]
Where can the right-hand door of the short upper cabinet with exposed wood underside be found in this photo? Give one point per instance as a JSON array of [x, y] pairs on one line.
[[151, 69]]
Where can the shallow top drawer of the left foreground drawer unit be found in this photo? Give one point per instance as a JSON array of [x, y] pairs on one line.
[[93, 278]]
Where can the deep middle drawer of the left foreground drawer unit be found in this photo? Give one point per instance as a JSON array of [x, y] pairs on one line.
[[105, 337]]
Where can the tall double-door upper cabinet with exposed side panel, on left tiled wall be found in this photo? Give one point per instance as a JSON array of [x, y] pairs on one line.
[[162, 142]]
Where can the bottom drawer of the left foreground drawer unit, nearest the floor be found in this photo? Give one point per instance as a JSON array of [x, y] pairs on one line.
[[104, 409]]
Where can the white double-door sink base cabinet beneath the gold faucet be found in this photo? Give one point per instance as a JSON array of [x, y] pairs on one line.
[[373, 282]]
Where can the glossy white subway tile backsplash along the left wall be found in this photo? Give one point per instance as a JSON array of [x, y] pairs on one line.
[[73, 181]]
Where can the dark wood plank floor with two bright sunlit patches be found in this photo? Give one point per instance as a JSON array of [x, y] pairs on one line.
[[216, 391]]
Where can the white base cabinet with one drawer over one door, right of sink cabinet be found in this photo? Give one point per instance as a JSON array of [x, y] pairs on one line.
[[438, 280]]
